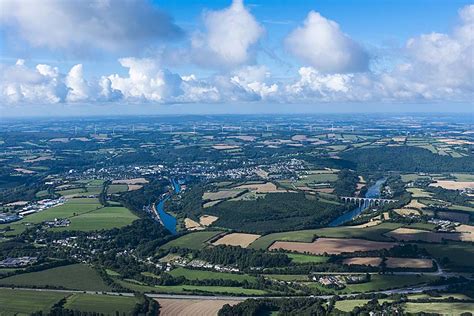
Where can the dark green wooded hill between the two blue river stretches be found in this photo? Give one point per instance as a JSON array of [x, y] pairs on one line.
[[276, 212]]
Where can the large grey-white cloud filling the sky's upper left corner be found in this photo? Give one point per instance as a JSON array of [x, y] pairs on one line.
[[76, 26]]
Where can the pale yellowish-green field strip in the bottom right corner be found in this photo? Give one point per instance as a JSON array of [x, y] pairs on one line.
[[452, 308]]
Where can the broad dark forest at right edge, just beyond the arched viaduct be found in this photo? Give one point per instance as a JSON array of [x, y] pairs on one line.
[[406, 159]]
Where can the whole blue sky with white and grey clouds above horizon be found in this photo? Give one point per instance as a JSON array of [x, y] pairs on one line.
[[101, 57]]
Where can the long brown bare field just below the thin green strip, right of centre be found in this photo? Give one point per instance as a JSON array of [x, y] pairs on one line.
[[332, 245]]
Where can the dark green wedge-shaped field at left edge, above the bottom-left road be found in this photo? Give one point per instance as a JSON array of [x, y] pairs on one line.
[[74, 277]]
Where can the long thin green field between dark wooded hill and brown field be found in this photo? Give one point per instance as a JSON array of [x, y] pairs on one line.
[[372, 233]]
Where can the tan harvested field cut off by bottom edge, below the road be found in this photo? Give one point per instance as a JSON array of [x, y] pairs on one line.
[[178, 307]]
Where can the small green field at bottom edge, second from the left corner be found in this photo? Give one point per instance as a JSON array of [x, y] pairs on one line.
[[104, 304]]
